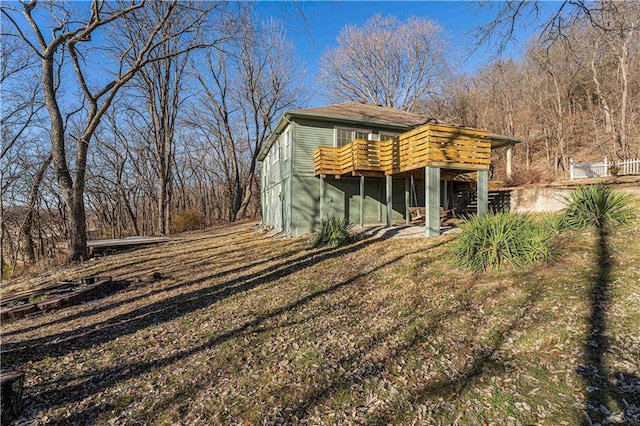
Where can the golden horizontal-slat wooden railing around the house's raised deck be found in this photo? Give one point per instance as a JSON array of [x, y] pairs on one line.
[[428, 145]]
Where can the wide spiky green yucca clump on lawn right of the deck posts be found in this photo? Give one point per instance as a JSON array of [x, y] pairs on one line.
[[498, 239]]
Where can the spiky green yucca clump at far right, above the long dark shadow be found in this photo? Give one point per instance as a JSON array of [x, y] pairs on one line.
[[595, 206]]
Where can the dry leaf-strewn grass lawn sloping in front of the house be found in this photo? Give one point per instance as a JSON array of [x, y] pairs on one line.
[[246, 329]]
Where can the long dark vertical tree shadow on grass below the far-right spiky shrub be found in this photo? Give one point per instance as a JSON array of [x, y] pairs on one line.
[[601, 392]]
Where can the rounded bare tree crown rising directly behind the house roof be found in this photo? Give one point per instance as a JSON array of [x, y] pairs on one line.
[[387, 62]]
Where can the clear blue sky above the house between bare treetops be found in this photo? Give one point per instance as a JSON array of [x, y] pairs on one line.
[[325, 19]]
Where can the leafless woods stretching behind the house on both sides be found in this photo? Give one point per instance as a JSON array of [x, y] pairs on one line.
[[146, 118]]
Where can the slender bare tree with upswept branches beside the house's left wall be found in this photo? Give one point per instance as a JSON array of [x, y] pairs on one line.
[[245, 88]]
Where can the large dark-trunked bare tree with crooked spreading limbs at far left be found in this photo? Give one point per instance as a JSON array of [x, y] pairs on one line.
[[71, 32]]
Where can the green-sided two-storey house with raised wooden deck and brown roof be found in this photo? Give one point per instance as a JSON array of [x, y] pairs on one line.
[[370, 164]]
